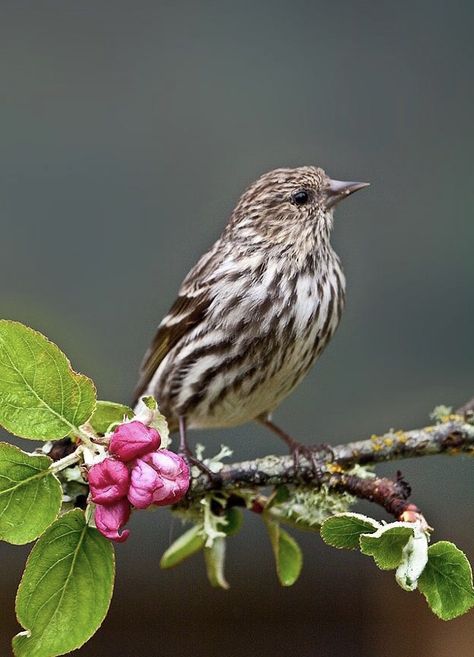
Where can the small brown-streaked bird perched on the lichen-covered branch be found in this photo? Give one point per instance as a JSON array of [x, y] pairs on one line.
[[256, 310]]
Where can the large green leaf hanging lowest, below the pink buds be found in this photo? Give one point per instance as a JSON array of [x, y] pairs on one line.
[[65, 590]]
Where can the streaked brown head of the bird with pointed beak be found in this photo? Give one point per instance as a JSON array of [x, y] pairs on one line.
[[286, 205]]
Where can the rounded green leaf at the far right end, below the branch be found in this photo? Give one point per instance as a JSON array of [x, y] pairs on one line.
[[446, 581]]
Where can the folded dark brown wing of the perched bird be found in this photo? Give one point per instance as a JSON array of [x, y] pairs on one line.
[[189, 309]]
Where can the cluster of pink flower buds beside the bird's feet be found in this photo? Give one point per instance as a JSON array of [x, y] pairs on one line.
[[137, 473]]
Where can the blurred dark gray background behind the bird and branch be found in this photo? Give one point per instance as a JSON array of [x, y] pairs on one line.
[[128, 131]]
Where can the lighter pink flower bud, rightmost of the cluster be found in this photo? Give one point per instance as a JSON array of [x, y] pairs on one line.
[[160, 478]]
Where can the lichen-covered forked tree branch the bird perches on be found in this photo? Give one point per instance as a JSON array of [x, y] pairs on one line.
[[454, 435]]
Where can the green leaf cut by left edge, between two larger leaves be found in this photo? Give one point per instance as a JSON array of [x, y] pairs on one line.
[[30, 495]]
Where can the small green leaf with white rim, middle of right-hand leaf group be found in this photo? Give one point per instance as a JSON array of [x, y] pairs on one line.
[[387, 543]]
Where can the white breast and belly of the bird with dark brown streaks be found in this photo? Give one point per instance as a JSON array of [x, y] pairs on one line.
[[255, 345]]
